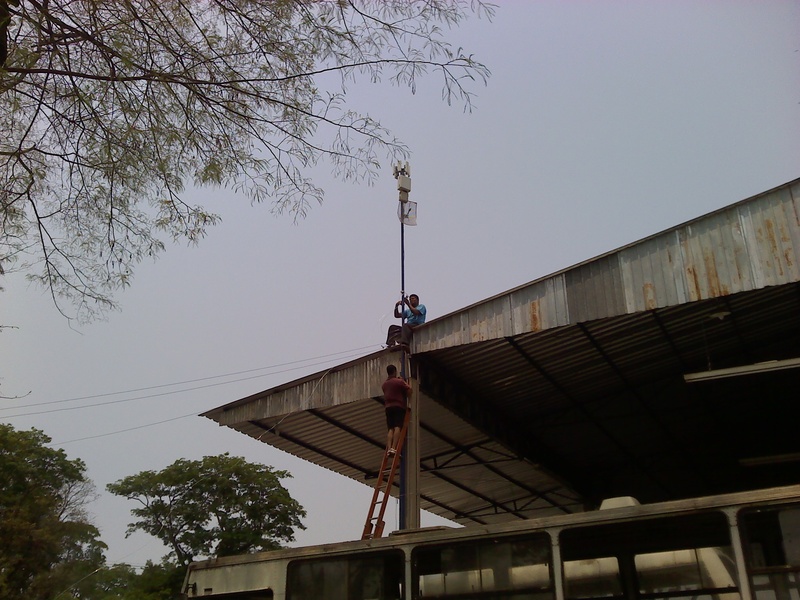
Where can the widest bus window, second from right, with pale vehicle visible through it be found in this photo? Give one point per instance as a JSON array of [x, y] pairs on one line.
[[683, 556]]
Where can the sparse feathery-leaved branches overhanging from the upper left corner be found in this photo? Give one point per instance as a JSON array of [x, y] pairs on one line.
[[109, 110]]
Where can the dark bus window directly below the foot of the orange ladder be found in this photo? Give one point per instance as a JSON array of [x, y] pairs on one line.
[[375, 576]]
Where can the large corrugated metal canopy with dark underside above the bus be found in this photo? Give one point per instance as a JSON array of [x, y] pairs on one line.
[[665, 369]]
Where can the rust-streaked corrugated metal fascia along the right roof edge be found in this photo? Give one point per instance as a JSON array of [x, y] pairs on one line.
[[744, 247]]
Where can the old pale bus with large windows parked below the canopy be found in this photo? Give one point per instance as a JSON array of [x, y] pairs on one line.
[[739, 546]]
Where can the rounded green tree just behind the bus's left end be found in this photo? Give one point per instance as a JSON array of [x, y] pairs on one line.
[[217, 506]]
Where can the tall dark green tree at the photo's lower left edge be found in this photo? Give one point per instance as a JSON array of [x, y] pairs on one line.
[[48, 543]]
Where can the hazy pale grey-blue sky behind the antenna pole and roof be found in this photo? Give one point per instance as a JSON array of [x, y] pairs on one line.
[[602, 123]]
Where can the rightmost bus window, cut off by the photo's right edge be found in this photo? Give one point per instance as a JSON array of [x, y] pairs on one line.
[[772, 542]]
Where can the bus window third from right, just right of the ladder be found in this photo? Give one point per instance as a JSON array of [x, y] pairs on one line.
[[515, 569]]
